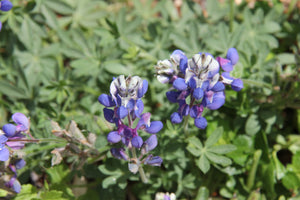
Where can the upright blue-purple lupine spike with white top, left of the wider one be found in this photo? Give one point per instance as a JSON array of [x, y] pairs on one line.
[[126, 107]]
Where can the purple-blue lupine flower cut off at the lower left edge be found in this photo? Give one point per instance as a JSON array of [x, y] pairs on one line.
[[12, 138]]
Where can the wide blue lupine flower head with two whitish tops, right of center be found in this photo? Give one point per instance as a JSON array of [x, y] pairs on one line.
[[198, 78]]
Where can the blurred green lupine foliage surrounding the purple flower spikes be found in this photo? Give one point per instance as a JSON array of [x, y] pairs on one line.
[[58, 56]]
